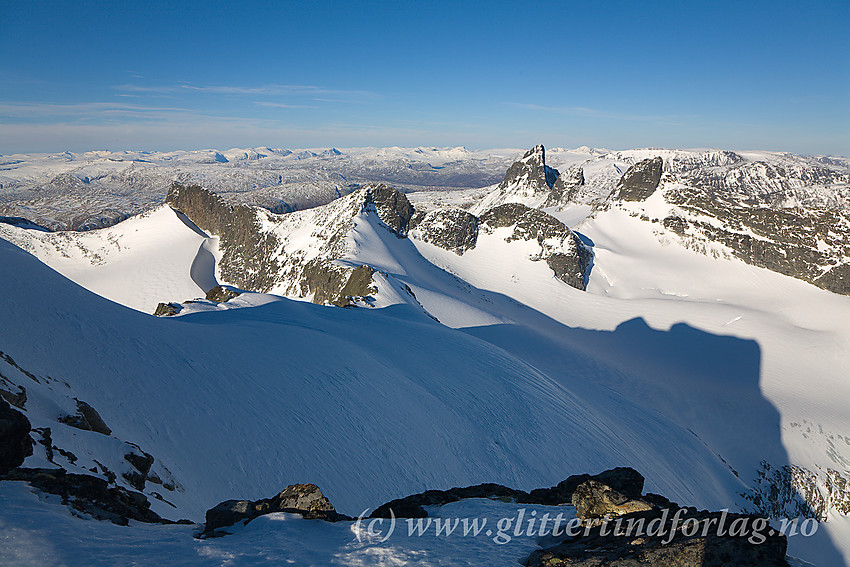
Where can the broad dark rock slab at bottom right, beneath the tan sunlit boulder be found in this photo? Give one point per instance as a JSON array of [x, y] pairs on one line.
[[652, 539]]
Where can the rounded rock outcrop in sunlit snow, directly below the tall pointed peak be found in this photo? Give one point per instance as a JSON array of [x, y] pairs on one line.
[[560, 247]]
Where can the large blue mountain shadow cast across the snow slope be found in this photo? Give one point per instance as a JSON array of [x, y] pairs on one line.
[[375, 404]]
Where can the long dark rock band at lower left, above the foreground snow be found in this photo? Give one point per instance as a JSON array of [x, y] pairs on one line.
[[90, 495]]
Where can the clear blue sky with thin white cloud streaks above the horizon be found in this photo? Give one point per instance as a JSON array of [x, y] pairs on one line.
[[126, 75]]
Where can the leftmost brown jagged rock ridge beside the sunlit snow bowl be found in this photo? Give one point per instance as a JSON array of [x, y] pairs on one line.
[[249, 254]]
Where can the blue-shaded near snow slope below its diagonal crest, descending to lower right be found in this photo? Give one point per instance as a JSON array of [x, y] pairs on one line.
[[240, 402]]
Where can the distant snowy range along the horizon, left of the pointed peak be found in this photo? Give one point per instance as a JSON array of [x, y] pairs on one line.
[[96, 189]]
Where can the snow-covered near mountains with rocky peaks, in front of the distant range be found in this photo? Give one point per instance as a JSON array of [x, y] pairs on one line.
[[648, 308]]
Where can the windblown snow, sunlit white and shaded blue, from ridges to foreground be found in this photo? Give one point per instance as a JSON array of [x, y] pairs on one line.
[[691, 368]]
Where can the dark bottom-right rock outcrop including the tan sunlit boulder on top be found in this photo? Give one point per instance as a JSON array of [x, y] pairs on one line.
[[629, 530]]
